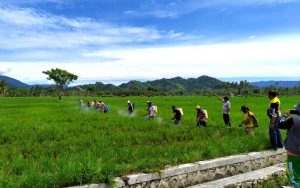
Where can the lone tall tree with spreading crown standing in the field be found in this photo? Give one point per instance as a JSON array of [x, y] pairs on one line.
[[62, 78]]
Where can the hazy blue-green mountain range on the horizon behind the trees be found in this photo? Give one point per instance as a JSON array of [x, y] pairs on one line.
[[177, 83]]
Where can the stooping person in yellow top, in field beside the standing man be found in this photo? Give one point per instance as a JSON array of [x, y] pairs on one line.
[[249, 120]]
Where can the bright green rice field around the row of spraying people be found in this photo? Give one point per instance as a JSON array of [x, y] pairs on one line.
[[45, 142]]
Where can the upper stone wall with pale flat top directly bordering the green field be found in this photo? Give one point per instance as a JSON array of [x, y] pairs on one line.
[[199, 172]]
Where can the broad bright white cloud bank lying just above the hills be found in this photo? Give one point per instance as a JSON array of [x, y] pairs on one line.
[[276, 56]]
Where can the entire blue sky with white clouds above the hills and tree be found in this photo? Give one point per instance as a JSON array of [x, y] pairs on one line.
[[119, 40]]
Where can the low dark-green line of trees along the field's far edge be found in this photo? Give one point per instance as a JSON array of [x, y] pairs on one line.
[[242, 88]]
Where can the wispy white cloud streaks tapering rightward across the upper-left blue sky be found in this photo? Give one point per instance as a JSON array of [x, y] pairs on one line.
[[27, 28]]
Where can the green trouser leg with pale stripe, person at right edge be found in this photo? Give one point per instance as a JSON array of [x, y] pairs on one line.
[[293, 170]]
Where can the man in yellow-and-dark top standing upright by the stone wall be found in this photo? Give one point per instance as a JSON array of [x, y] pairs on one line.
[[274, 112]]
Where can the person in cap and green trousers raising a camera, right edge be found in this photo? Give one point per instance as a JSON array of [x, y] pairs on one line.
[[292, 144]]
